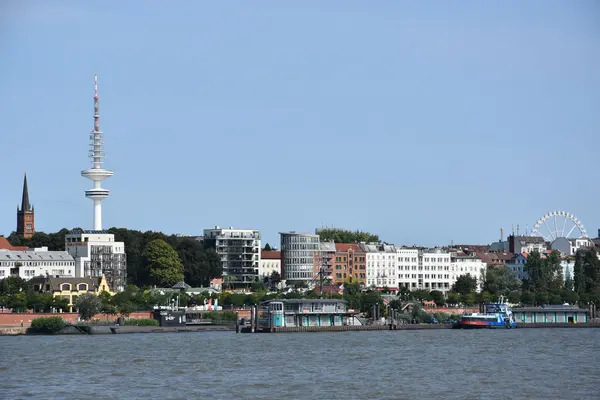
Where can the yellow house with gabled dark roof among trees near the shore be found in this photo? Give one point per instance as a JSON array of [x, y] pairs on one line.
[[70, 288]]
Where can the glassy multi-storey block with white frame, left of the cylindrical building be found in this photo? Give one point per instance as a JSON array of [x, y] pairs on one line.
[[239, 251]]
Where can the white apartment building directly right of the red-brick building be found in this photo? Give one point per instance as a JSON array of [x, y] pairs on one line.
[[381, 266]]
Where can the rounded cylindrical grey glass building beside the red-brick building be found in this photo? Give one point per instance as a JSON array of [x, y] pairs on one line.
[[300, 257]]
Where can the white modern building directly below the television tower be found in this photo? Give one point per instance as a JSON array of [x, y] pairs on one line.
[[96, 253]]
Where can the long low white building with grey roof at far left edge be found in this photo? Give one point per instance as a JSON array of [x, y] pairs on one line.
[[37, 262]]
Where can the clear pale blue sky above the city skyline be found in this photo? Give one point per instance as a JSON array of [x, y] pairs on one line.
[[423, 122]]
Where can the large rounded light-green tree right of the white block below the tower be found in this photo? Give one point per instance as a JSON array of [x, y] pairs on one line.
[[164, 265]]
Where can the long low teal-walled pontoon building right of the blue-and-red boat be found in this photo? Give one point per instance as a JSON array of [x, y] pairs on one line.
[[551, 314]]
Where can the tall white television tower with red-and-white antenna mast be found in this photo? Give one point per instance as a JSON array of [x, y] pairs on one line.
[[97, 174]]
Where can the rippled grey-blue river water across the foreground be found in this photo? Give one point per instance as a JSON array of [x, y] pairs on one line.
[[428, 364]]
